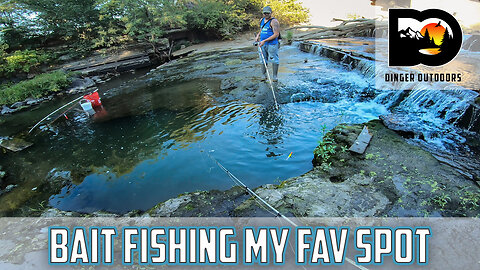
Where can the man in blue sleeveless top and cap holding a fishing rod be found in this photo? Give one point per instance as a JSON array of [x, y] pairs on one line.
[[268, 40]]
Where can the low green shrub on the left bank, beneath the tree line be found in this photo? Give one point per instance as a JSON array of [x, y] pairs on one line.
[[37, 87]]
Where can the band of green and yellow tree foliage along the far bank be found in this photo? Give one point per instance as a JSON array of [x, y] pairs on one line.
[[103, 23]]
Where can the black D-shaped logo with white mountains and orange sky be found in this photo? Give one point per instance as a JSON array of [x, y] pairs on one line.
[[431, 37]]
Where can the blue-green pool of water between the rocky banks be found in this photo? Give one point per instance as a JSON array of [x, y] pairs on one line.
[[150, 143]]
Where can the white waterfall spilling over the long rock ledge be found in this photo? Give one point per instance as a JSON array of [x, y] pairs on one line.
[[445, 105]]
